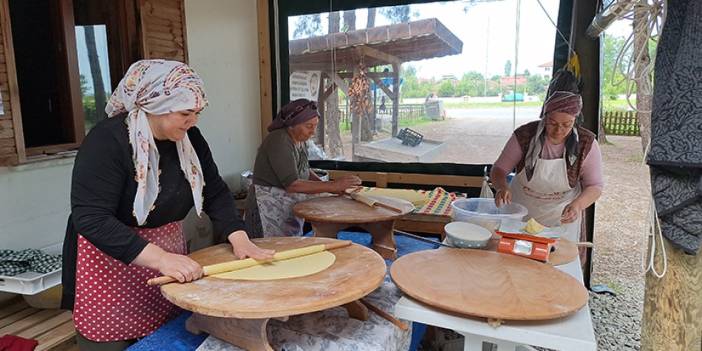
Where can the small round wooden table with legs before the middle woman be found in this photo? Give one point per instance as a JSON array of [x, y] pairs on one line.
[[331, 214]]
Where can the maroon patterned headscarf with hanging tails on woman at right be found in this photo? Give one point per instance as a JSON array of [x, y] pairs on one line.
[[558, 101]]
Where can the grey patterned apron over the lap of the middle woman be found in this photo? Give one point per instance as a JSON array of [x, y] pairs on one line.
[[275, 210]]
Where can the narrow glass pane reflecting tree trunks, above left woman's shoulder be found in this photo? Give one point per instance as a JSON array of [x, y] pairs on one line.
[[94, 68]]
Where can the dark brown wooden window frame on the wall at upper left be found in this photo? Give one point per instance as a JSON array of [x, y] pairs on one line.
[[122, 51]]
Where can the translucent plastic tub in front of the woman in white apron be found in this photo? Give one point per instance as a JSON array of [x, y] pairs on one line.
[[483, 212]]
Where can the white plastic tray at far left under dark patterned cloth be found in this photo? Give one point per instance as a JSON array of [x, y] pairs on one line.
[[30, 283]]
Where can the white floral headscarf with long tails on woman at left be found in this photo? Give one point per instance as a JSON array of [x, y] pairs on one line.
[[158, 87]]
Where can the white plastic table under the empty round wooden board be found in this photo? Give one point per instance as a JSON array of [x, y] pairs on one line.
[[572, 333]]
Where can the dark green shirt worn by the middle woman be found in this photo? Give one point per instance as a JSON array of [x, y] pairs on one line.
[[280, 161]]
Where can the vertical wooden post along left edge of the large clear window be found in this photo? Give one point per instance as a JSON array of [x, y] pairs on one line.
[[264, 66]]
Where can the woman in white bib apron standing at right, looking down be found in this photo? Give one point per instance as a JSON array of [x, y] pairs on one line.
[[558, 165]]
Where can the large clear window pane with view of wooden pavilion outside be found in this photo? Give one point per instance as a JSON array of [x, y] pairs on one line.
[[466, 80]]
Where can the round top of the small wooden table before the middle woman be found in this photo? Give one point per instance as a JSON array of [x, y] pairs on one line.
[[341, 209]]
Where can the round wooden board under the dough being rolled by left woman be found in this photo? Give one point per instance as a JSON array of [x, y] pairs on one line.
[[356, 272]]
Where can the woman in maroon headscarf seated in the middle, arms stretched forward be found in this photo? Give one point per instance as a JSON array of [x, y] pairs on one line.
[[282, 175]]
